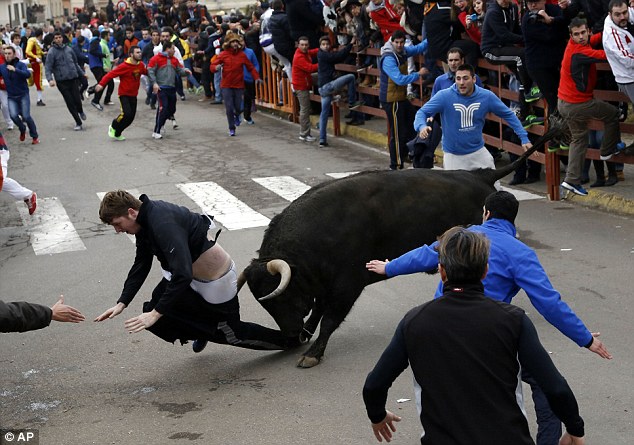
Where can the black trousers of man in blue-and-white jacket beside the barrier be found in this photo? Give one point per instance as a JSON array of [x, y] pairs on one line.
[[400, 116]]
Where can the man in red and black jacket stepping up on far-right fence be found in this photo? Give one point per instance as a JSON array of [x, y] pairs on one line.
[[578, 106]]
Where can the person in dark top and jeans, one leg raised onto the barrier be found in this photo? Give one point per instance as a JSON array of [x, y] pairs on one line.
[[329, 84]]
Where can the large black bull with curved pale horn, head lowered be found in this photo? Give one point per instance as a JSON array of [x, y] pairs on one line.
[[328, 234]]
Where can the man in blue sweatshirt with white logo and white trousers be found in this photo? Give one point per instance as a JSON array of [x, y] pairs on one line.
[[463, 109]]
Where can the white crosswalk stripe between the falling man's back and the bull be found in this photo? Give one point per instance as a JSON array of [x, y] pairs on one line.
[[226, 209]]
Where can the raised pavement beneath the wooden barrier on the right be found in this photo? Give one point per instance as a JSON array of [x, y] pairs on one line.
[[617, 199]]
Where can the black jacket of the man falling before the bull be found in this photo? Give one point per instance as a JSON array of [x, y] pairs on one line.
[[177, 237]]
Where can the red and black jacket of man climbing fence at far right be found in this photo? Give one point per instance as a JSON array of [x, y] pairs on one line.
[[579, 71]]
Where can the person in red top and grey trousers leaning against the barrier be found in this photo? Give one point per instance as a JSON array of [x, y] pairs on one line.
[[303, 68]]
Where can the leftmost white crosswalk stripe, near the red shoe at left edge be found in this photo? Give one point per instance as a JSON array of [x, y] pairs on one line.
[[50, 228]]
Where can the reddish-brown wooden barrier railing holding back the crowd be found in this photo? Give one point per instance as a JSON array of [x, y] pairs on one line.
[[268, 97]]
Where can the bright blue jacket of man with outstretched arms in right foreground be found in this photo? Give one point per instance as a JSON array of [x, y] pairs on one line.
[[512, 266]]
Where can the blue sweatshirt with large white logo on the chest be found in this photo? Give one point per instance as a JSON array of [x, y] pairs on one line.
[[463, 117]]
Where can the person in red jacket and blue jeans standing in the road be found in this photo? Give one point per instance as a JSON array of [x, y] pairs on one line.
[[233, 61]]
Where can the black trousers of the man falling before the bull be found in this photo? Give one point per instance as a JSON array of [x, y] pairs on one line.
[[193, 318]]
